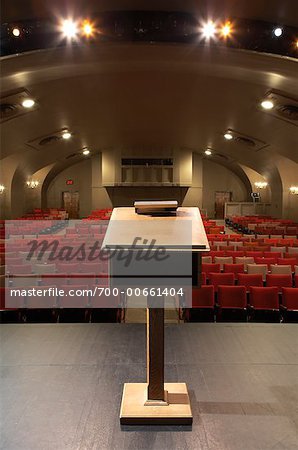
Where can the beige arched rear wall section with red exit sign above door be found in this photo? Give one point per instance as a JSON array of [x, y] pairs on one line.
[[81, 175]]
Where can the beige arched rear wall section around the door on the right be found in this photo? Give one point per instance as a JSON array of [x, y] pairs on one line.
[[219, 178]]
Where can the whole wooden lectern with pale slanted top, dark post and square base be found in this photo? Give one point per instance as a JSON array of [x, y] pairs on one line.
[[182, 237]]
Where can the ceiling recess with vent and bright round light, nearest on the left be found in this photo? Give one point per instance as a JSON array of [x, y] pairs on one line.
[[11, 105]]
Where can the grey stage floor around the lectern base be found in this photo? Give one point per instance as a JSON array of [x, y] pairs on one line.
[[61, 386]]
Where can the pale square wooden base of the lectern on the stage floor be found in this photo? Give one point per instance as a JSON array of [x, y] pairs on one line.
[[134, 411]]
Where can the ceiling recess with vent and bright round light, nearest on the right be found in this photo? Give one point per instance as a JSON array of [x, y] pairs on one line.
[[285, 107]]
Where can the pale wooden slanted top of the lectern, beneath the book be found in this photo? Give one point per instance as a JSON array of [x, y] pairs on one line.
[[182, 231]]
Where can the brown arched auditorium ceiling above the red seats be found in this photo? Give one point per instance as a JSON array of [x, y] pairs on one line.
[[140, 96]]
